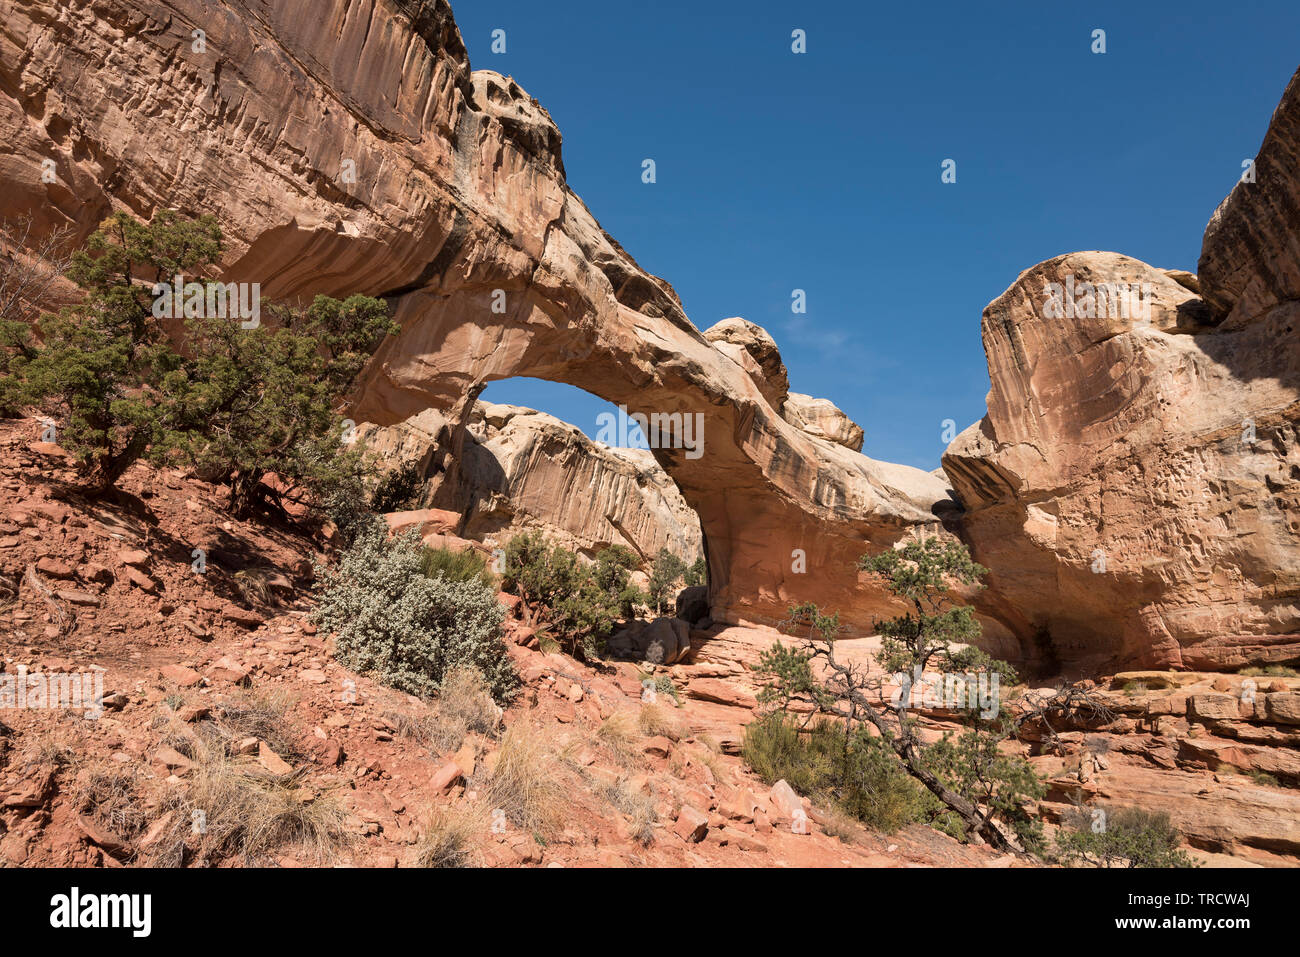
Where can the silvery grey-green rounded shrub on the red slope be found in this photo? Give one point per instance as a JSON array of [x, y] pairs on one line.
[[410, 630]]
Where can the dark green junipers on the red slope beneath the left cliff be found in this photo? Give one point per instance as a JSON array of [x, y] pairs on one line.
[[236, 404]]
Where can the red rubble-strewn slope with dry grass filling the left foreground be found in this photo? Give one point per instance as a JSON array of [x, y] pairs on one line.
[[187, 656]]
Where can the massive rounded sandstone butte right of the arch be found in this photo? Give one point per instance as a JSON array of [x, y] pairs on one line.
[[1133, 483]]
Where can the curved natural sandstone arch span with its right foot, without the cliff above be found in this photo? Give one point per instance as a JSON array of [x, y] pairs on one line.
[[785, 514]]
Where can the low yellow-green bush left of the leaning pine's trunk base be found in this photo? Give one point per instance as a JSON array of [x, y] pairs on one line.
[[855, 773]]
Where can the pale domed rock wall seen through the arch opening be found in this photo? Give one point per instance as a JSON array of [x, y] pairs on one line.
[[525, 470]]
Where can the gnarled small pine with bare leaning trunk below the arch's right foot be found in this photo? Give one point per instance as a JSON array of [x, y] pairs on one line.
[[970, 785]]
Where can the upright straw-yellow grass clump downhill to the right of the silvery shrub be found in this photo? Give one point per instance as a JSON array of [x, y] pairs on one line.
[[527, 781]]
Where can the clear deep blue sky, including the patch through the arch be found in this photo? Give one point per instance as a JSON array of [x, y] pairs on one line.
[[822, 171]]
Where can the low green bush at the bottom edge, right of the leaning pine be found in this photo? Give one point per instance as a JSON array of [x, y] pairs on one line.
[[1121, 838]]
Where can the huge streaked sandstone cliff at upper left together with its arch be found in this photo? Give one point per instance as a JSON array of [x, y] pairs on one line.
[[350, 149]]
